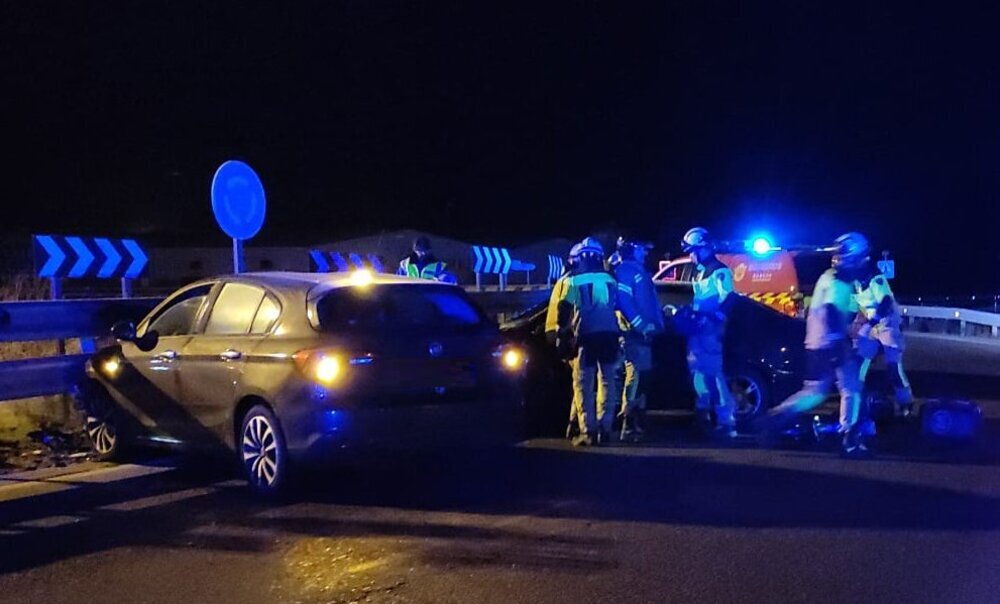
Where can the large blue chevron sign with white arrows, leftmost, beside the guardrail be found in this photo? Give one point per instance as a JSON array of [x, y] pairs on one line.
[[88, 257]]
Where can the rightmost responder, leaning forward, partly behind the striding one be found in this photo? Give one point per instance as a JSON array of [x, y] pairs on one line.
[[881, 330]]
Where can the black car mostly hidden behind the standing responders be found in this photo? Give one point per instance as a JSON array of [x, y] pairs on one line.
[[764, 361]]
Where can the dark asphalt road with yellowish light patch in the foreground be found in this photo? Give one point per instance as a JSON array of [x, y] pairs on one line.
[[674, 520]]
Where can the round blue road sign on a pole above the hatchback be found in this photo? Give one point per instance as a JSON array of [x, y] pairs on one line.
[[238, 200]]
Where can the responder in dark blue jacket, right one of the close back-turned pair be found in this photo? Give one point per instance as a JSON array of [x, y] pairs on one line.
[[642, 318]]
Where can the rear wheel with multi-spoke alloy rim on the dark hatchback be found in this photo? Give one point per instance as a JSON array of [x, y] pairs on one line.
[[263, 451]]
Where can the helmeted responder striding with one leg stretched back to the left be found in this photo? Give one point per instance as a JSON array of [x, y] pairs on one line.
[[829, 357]]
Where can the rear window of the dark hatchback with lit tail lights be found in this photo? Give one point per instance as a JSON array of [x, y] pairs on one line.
[[407, 307]]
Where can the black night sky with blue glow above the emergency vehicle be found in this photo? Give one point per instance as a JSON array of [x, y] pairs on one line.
[[505, 123]]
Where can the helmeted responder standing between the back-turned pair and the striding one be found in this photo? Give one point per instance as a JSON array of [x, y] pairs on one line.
[[704, 322]]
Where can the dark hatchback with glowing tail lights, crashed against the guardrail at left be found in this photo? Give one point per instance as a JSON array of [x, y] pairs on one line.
[[276, 366]]
